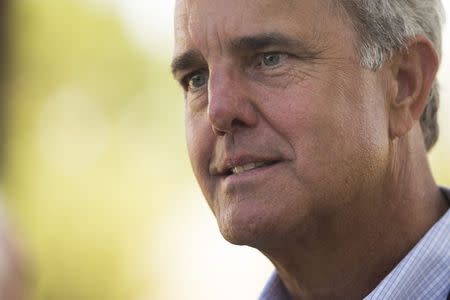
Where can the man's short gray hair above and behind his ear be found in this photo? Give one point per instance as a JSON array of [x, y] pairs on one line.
[[385, 26]]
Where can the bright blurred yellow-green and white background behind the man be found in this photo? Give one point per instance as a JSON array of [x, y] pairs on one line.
[[97, 178]]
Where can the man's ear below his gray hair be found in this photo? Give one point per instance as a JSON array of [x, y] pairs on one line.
[[414, 70]]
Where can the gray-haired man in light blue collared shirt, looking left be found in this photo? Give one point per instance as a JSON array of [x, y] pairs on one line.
[[308, 124]]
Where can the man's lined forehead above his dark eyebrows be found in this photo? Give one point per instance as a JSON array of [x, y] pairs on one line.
[[206, 24]]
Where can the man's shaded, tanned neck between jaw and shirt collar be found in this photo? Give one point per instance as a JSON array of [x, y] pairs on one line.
[[346, 255]]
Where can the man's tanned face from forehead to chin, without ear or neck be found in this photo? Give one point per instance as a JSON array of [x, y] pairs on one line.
[[284, 128]]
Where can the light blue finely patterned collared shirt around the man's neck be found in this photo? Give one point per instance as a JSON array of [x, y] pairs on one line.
[[424, 273]]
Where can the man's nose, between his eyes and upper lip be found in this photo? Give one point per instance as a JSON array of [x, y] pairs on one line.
[[230, 103]]
